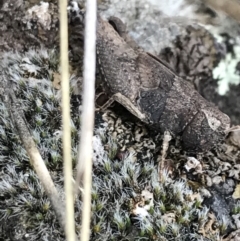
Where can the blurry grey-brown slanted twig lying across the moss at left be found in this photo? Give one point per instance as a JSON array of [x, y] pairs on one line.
[[36, 160]]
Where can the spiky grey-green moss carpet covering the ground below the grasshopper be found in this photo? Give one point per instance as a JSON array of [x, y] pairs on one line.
[[120, 173]]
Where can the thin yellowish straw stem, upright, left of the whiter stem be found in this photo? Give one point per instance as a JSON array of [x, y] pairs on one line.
[[70, 223]]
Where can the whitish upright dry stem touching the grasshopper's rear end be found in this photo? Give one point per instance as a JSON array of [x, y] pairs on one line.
[[85, 148]]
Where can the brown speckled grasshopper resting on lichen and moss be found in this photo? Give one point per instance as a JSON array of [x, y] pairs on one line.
[[150, 90]]
